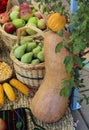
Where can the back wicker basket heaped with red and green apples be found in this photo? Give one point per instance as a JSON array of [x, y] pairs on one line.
[[18, 16]]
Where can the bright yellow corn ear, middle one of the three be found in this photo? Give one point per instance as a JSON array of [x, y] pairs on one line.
[[9, 91]]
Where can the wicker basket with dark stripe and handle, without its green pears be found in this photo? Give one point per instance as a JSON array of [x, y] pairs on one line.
[[31, 75]]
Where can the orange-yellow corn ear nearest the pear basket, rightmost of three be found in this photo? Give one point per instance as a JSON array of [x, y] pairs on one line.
[[20, 86]]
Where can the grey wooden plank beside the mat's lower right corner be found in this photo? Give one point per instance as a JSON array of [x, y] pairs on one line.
[[78, 118]]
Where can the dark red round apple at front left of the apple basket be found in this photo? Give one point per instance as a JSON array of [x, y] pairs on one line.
[[9, 28]]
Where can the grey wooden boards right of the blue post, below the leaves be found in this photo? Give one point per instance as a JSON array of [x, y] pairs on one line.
[[81, 116]]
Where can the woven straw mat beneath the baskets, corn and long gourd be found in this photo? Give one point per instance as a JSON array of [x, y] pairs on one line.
[[66, 123]]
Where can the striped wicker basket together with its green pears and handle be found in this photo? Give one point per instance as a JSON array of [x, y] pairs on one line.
[[28, 58]]
